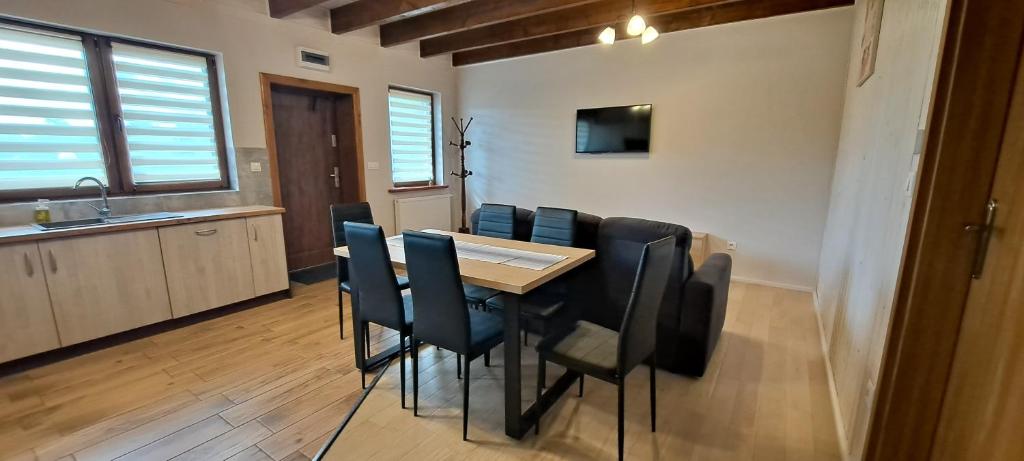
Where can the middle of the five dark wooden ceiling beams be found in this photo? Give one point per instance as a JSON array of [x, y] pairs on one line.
[[473, 15]]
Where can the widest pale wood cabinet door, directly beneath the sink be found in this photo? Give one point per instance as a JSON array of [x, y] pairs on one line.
[[105, 284]]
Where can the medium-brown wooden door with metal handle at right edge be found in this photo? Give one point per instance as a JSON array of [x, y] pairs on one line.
[[984, 410]]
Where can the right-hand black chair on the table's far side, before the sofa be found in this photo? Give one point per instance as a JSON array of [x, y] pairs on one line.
[[541, 307]]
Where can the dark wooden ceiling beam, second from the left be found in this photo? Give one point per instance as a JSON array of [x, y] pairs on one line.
[[364, 14]]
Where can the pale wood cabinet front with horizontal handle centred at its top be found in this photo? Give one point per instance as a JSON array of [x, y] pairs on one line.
[[207, 265]]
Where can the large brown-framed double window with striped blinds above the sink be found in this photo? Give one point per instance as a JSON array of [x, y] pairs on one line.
[[138, 117]]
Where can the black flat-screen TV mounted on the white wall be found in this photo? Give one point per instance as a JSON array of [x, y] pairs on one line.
[[605, 131]]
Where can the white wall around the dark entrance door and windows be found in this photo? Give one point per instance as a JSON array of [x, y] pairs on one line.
[[250, 43]]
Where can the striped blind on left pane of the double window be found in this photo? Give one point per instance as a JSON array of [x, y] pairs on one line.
[[49, 132]]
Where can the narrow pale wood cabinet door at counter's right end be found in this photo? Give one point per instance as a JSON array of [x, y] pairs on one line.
[[267, 247]]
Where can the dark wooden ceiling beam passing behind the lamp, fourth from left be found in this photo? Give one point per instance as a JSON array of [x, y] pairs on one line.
[[604, 13]]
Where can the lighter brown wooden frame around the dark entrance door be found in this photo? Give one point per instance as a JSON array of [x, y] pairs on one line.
[[267, 83]]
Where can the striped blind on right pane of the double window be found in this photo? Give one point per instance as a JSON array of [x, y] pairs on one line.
[[168, 115]]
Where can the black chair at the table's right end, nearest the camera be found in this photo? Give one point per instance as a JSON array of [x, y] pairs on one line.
[[611, 356]]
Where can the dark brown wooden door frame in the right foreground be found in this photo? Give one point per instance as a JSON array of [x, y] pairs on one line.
[[974, 87]]
